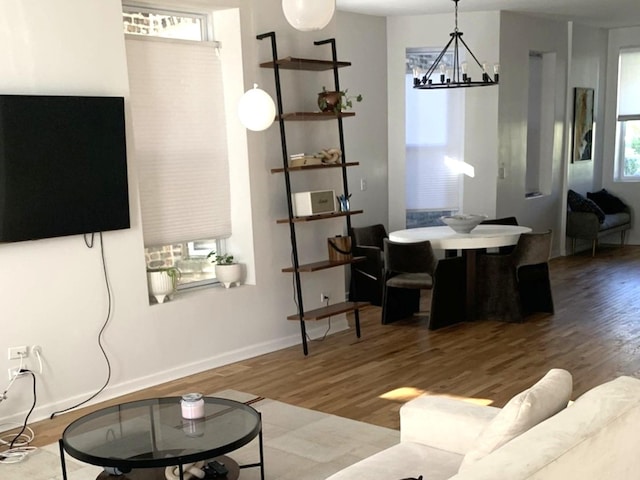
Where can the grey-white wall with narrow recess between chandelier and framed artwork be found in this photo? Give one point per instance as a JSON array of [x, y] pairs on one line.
[[520, 34]]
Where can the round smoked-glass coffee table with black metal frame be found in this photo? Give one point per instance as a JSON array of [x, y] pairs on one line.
[[144, 437]]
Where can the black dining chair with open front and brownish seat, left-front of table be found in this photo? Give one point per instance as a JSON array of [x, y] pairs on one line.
[[408, 269]]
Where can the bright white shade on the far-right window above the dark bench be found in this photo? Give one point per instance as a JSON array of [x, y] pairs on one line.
[[629, 85]]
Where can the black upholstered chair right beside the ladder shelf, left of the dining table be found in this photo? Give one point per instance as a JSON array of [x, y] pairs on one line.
[[367, 276]]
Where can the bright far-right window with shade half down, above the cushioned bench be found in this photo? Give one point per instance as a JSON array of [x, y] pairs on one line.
[[628, 127]]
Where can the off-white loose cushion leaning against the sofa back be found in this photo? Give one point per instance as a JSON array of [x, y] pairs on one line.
[[530, 407]]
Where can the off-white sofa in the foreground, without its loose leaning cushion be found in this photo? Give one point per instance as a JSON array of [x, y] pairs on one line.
[[596, 437]]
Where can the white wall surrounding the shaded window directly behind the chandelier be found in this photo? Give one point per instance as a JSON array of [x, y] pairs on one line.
[[481, 32]]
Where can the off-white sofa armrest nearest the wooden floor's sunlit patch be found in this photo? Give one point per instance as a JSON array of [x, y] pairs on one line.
[[444, 423]]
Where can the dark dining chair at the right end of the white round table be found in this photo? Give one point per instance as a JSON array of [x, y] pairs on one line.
[[514, 285]]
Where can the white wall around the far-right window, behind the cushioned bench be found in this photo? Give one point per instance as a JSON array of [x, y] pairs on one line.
[[628, 191]]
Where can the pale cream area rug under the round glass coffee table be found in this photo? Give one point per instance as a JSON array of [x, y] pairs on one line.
[[299, 444]]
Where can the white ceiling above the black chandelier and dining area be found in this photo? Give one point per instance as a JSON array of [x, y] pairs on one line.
[[600, 13]]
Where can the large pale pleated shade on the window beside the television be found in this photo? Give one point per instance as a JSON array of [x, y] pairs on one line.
[[180, 140]]
